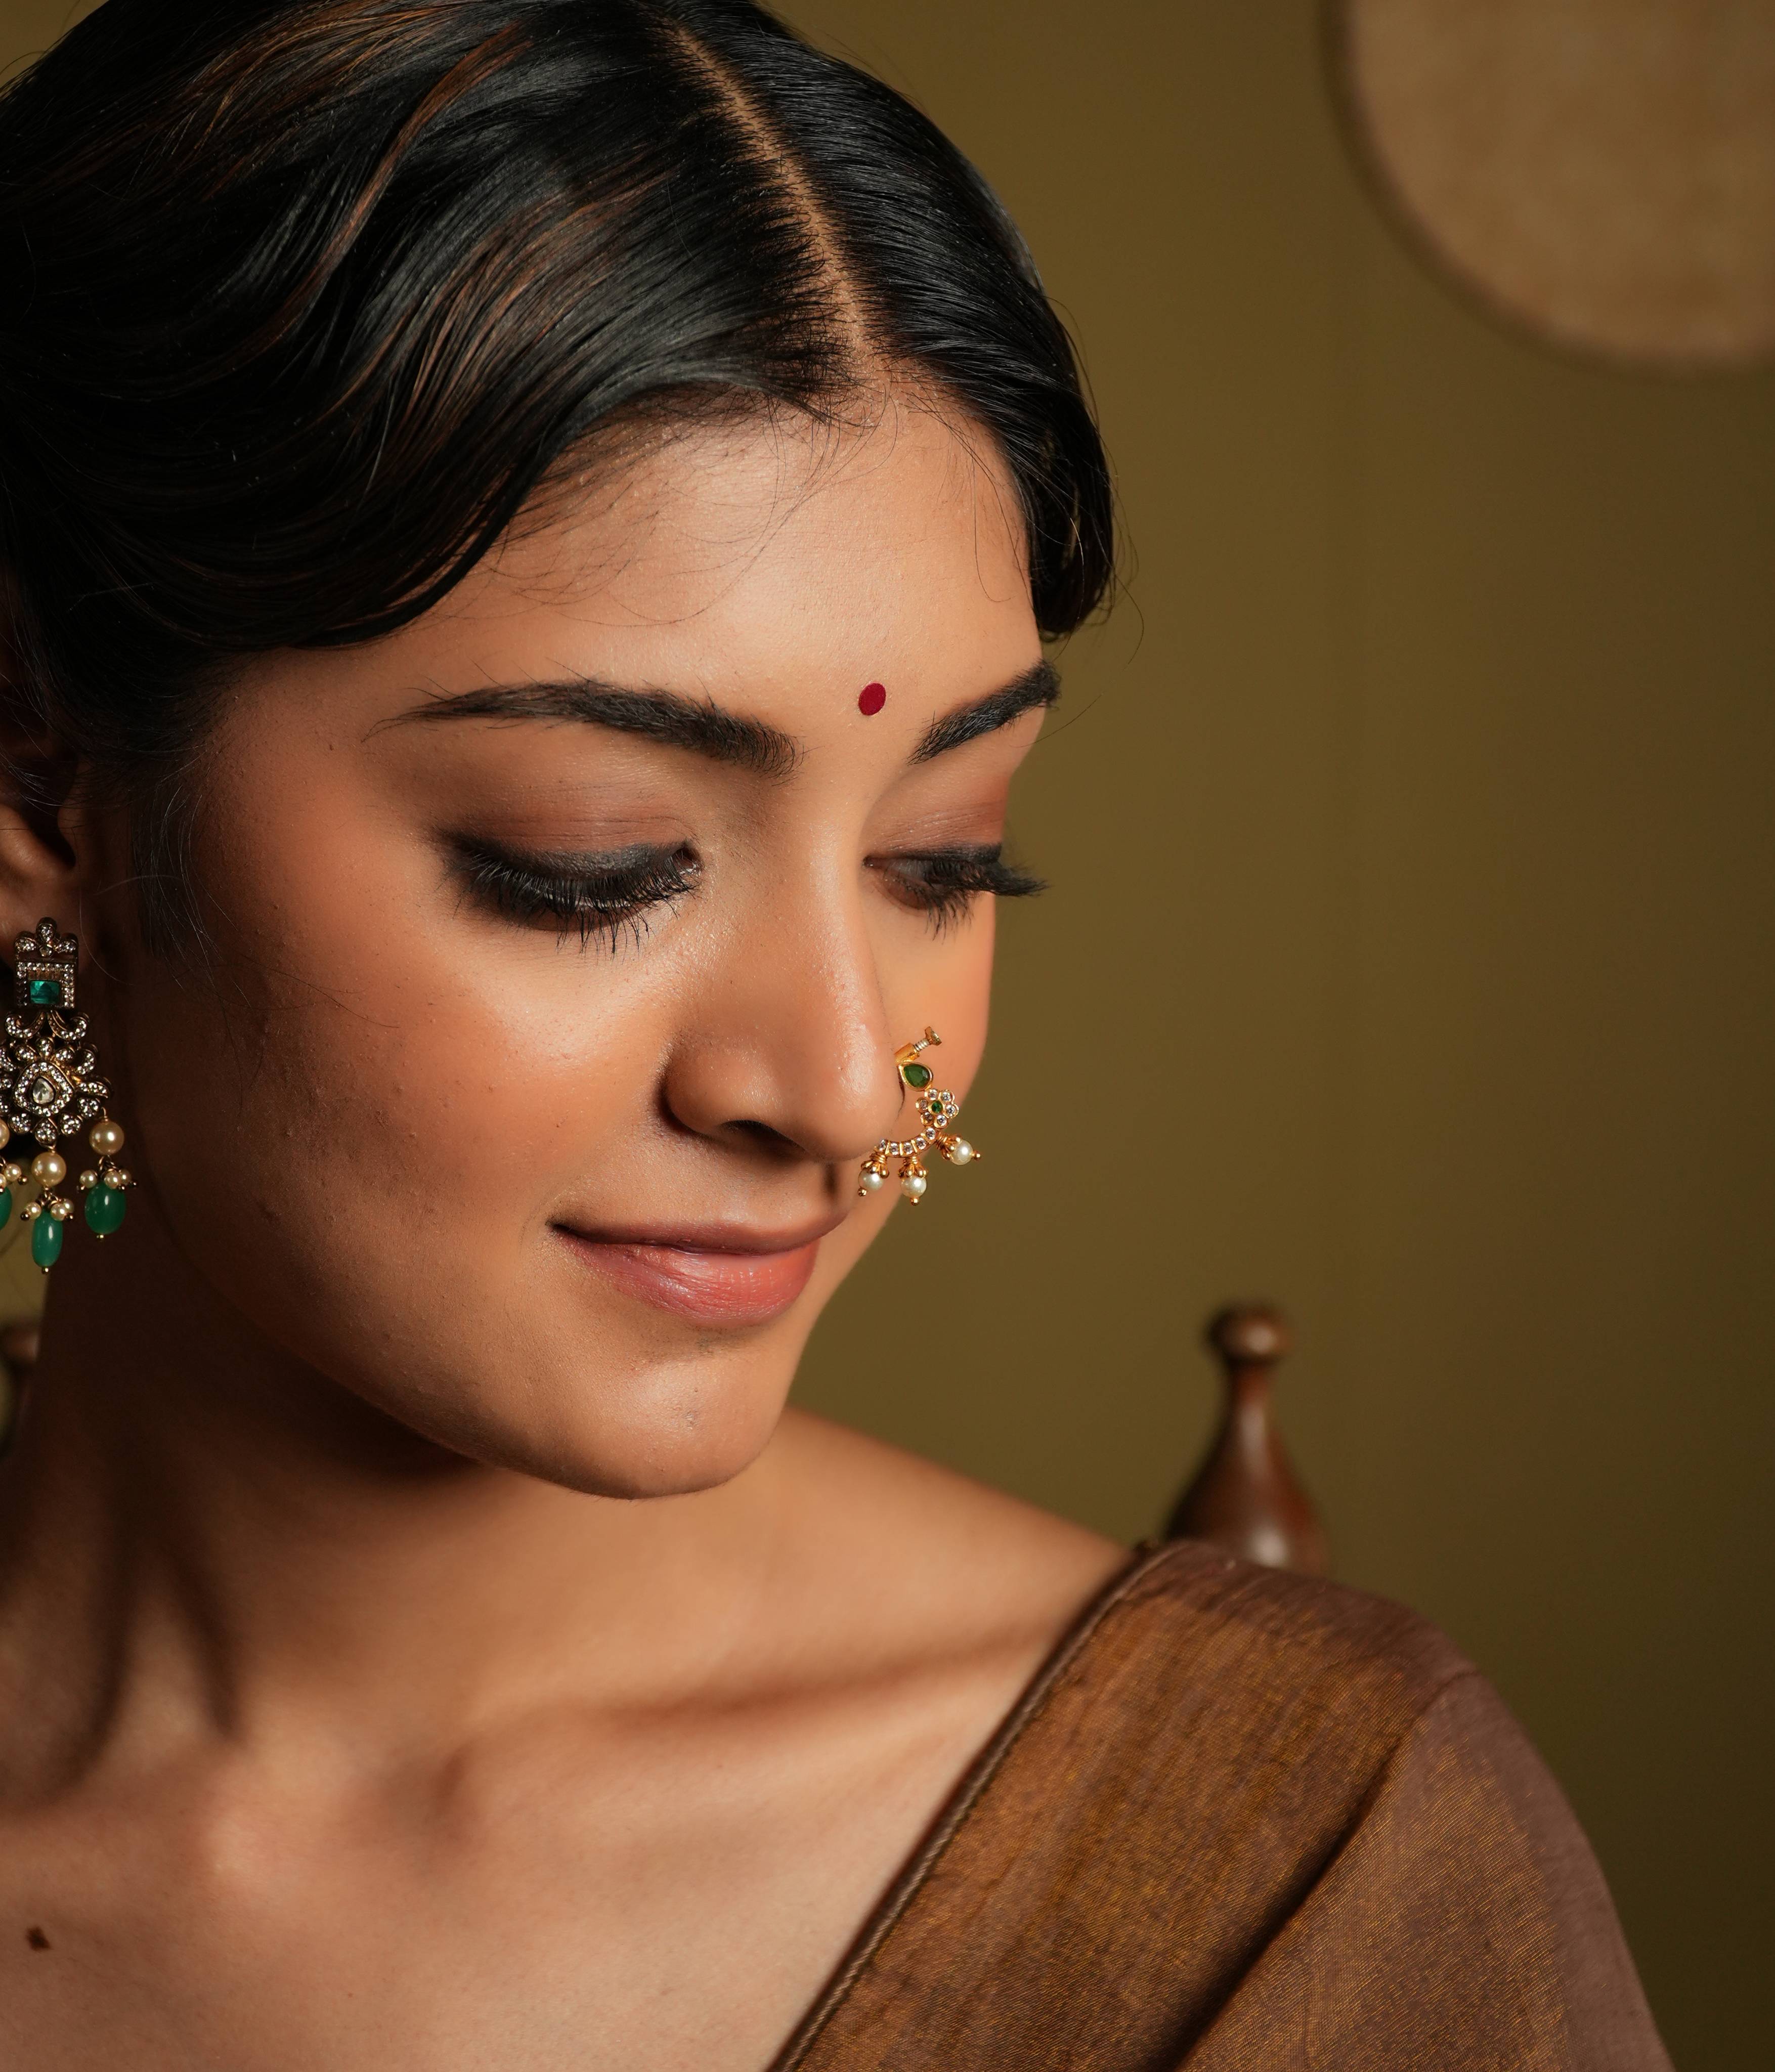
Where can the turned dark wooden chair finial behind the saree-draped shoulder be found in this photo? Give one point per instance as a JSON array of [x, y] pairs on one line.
[[1246, 1495]]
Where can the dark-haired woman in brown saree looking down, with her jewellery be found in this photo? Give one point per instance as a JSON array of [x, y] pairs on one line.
[[529, 531]]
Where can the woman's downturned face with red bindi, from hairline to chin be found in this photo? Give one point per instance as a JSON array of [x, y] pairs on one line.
[[566, 938]]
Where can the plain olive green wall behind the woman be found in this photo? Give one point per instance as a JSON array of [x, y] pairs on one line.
[[1409, 944]]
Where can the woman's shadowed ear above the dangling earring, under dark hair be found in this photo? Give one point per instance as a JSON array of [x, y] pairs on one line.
[[40, 865]]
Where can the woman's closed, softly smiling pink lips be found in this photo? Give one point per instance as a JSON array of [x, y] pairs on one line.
[[711, 1277]]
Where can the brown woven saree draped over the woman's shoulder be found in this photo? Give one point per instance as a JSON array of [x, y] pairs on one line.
[[1248, 1822]]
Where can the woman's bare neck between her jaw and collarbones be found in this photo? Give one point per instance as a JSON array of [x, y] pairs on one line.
[[202, 1536]]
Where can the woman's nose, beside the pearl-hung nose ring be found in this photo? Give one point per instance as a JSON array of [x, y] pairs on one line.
[[790, 1043]]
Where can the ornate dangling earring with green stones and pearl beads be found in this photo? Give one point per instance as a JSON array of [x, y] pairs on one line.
[[51, 1089]]
